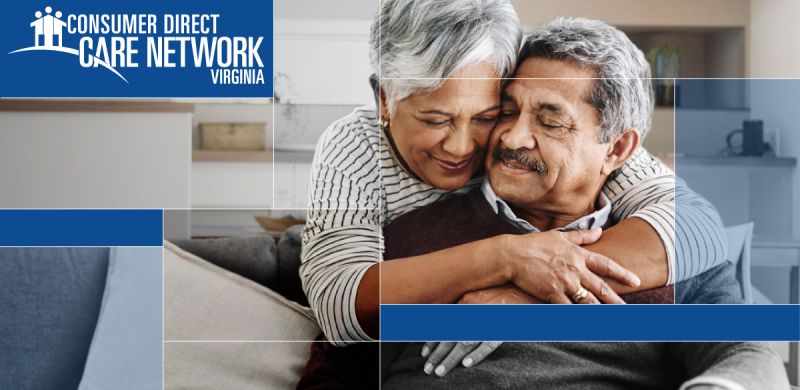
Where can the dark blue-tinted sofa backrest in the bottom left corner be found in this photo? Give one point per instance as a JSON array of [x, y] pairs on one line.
[[49, 302]]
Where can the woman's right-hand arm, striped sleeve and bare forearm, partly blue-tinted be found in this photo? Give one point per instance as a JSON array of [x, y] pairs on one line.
[[646, 189]]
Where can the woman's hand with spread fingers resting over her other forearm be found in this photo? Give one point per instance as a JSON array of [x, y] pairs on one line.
[[552, 267]]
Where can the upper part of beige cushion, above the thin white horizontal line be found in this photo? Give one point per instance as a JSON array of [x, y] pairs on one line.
[[205, 302]]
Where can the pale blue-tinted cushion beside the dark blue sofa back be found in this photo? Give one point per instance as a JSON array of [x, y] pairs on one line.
[[126, 351]]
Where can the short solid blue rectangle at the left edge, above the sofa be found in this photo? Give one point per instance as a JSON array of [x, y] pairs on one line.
[[81, 228]]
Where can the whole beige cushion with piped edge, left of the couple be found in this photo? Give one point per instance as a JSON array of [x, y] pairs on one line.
[[223, 331]]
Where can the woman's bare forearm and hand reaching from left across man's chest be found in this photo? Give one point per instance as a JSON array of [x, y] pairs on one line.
[[550, 266]]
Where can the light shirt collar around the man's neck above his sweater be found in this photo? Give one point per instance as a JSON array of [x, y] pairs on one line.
[[597, 219]]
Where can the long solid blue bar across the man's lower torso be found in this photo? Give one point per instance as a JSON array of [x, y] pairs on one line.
[[590, 322]]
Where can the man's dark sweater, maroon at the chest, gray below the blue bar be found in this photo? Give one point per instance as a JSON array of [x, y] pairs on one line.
[[466, 218]]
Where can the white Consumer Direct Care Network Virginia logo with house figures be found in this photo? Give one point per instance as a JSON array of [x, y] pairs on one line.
[[118, 42]]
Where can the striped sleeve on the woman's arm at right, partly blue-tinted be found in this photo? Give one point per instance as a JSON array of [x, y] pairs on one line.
[[688, 225]]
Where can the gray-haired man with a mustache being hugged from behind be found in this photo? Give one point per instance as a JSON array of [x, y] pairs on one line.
[[550, 154]]
